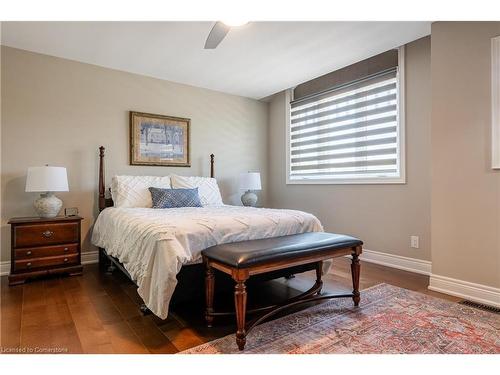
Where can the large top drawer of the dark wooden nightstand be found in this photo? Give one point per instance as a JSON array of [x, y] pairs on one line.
[[45, 234]]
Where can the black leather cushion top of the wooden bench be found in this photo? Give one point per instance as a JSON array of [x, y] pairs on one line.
[[254, 252]]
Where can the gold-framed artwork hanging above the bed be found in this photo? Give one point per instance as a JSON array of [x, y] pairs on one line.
[[159, 140]]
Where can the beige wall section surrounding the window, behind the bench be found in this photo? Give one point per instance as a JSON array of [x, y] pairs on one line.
[[384, 216]]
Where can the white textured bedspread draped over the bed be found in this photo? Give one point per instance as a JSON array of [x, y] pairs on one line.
[[153, 244]]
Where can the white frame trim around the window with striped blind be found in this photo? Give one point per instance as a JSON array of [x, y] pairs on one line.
[[400, 79]]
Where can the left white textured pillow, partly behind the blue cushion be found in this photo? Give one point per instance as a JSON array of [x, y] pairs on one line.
[[133, 191]]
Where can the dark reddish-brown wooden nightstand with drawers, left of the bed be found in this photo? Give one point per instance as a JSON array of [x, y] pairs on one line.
[[42, 246]]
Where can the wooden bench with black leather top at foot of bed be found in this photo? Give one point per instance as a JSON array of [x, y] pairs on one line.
[[241, 260]]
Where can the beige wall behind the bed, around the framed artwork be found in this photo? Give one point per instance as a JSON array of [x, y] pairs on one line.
[[58, 112]]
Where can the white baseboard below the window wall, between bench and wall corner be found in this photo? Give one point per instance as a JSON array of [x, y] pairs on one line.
[[422, 267]]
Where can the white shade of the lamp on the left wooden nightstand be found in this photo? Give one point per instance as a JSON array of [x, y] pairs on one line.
[[47, 178]]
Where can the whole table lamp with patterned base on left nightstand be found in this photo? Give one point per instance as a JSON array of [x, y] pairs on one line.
[[47, 180]]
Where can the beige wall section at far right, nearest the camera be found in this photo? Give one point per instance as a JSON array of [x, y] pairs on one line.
[[465, 190]]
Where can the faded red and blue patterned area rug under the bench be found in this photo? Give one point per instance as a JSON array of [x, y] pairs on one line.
[[389, 320]]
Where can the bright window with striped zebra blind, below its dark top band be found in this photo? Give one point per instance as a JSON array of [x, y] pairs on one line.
[[351, 134]]
